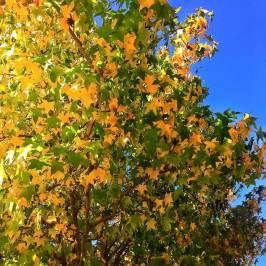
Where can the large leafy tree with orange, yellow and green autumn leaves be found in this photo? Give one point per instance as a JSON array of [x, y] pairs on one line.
[[108, 154]]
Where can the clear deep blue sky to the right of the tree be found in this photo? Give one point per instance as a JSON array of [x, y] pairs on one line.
[[236, 75]]
